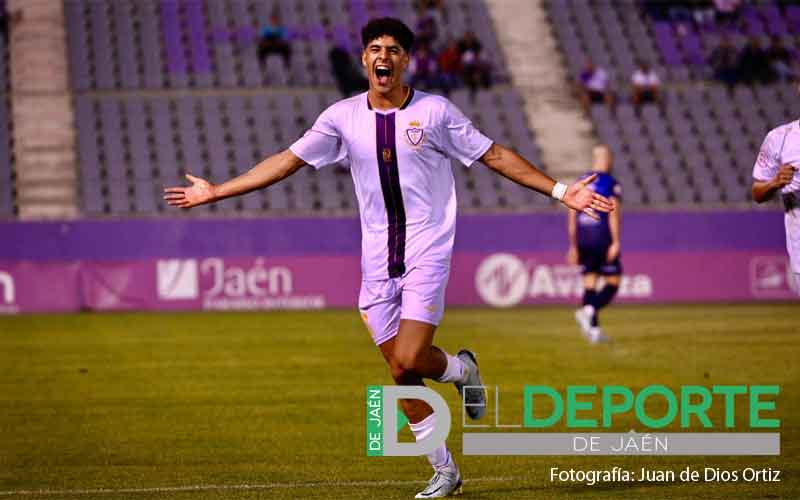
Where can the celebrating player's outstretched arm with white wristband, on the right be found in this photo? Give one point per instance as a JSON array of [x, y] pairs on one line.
[[577, 196]]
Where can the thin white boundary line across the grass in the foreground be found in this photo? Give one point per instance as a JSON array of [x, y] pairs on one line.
[[225, 487]]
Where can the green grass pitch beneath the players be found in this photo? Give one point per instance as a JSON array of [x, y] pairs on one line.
[[271, 405]]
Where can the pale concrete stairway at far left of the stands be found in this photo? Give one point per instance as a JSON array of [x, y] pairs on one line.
[[44, 144]]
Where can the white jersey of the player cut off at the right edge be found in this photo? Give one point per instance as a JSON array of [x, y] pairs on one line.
[[781, 147]]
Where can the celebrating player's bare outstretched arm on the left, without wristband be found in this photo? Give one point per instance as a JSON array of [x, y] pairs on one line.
[[273, 169]]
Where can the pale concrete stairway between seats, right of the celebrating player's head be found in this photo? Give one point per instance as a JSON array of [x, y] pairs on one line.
[[564, 133]]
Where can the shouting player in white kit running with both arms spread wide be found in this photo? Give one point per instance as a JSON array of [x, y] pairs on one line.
[[397, 143]]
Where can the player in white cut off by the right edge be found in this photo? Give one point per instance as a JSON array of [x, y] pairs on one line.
[[776, 170]]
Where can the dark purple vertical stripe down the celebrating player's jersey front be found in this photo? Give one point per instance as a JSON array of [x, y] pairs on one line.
[[392, 196]]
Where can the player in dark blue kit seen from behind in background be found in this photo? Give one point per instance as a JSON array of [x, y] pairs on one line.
[[594, 244]]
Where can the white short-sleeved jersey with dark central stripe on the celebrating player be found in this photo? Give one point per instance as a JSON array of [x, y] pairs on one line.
[[399, 160]]
